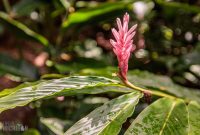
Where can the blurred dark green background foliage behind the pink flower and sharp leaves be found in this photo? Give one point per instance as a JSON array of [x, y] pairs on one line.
[[53, 38]]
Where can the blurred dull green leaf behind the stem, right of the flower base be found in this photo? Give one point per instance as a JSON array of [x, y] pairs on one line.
[[162, 83]]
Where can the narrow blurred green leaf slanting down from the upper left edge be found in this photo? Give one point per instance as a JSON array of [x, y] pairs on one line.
[[22, 30]]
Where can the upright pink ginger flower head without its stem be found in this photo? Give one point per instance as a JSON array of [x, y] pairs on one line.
[[123, 45]]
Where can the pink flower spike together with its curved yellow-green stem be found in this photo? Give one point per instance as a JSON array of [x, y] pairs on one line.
[[122, 47]]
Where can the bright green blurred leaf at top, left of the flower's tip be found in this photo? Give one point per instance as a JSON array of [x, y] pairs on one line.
[[95, 13]]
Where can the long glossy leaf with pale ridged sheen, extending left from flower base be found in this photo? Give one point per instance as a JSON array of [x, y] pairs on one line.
[[58, 87]]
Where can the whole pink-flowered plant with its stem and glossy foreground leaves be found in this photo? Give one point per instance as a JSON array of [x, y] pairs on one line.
[[170, 114]]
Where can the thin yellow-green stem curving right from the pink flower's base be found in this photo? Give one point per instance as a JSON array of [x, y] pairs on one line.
[[157, 93]]
